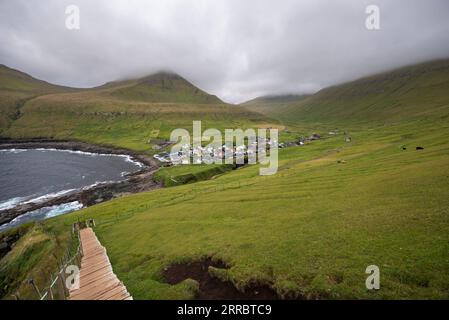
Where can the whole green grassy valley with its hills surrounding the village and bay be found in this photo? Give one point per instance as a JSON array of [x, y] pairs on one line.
[[309, 231]]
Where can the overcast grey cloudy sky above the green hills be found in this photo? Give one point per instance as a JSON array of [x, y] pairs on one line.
[[236, 49]]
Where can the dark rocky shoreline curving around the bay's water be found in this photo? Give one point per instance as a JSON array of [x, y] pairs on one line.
[[139, 181]]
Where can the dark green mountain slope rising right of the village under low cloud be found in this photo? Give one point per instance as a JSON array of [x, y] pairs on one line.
[[414, 91]]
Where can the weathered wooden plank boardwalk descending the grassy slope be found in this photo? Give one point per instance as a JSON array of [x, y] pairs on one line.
[[97, 279]]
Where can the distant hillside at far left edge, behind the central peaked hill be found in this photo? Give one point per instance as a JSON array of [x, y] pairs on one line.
[[16, 88]]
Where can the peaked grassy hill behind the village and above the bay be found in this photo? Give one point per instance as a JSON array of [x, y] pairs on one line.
[[129, 114]]
